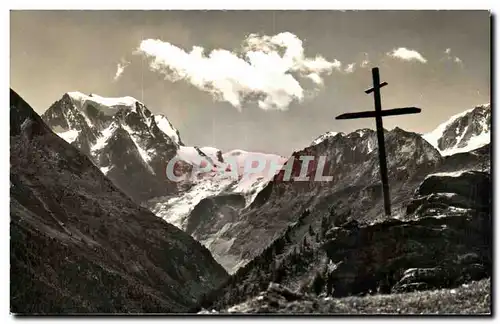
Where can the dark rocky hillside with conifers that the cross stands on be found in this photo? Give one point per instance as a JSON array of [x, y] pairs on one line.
[[444, 240]]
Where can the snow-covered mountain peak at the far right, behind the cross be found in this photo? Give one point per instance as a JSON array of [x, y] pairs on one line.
[[463, 132]]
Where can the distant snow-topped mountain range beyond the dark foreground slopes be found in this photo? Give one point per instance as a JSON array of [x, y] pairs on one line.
[[132, 147]]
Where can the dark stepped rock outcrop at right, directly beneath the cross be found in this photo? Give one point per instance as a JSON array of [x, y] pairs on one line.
[[447, 242]]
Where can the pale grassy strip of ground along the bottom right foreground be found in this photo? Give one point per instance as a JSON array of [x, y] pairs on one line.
[[468, 299]]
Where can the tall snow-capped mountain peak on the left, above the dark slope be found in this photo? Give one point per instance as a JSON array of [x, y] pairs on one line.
[[122, 137]]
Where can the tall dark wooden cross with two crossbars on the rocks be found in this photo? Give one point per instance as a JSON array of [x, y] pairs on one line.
[[378, 114]]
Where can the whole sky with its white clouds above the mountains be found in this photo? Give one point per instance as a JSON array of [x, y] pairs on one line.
[[268, 81]]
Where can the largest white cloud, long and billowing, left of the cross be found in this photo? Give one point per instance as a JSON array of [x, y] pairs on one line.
[[268, 70]]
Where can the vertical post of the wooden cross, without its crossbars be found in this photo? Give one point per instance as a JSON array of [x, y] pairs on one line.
[[381, 141]]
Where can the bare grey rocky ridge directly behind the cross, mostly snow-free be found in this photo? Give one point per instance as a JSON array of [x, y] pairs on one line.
[[352, 162]]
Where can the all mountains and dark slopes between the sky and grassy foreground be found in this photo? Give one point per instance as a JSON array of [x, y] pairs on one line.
[[261, 229]]
